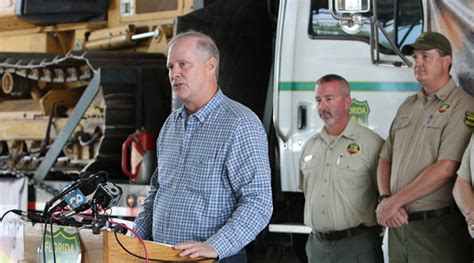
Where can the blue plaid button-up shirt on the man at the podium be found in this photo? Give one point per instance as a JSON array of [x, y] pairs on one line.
[[212, 183]]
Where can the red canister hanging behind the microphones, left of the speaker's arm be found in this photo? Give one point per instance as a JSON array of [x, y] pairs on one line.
[[139, 157]]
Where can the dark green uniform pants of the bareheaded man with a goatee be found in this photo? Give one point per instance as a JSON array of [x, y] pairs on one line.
[[365, 247]]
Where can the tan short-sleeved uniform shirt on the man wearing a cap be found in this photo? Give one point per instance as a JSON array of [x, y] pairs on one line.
[[427, 129]]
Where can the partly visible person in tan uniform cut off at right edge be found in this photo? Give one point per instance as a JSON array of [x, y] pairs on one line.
[[463, 191]]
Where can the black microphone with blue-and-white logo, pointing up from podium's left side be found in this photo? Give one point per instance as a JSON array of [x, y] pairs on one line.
[[75, 194]]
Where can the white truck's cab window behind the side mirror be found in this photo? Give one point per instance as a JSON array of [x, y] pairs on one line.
[[403, 27]]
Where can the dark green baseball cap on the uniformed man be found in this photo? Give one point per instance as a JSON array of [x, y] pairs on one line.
[[428, 41]]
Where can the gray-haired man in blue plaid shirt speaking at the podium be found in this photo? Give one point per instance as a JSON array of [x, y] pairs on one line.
[[210, 194]]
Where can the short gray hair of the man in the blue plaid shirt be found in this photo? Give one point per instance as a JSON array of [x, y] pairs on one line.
[[206, 46]]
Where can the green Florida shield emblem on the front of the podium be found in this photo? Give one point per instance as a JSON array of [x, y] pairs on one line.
[[67, 247]]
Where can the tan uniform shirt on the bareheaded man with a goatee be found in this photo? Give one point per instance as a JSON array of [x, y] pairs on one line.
[[339, 179]]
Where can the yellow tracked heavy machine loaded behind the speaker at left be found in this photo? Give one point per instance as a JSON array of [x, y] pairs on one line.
[[50, 51]]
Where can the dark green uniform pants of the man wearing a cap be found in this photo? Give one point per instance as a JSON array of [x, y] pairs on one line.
[[442, 239]]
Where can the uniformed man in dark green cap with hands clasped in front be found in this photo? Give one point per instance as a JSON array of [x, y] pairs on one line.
[[419, 159]]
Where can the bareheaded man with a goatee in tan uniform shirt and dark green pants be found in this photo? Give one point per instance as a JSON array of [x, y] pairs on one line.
[[338, 178]]
